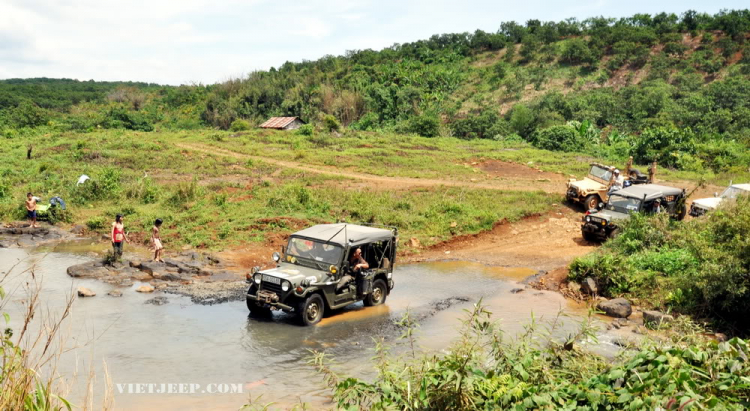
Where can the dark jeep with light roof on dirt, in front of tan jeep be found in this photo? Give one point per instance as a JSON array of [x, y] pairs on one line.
[[646, 198]]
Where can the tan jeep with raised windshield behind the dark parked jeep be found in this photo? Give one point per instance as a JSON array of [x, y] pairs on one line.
[[594, 188]]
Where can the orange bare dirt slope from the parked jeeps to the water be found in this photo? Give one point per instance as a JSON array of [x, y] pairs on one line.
[[544, 242]]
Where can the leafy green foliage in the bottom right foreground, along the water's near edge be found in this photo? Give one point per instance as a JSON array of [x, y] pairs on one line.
[[485, 370]]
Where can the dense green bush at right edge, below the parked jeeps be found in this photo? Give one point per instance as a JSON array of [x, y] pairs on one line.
[[699, 267]]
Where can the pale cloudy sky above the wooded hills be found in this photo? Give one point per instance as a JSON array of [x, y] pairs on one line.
[[209, 41]]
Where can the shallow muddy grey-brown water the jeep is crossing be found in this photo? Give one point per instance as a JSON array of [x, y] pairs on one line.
[[184, 343]]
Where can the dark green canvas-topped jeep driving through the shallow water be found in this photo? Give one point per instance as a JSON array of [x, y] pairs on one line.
[[313, 273]]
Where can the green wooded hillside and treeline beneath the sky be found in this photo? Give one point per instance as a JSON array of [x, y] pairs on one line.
[[665, 87]]
